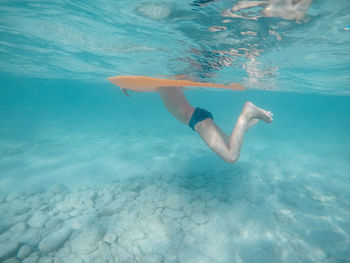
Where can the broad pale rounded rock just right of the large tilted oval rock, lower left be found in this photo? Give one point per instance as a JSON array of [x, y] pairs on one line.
[[86, 242]]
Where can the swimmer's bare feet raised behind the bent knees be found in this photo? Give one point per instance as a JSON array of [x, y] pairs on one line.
[[253, 114]]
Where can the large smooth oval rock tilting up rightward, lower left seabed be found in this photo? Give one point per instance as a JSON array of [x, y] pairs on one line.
[[54, 240]]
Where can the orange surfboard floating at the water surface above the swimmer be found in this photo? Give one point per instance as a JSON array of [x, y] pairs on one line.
[[148, 84]]
